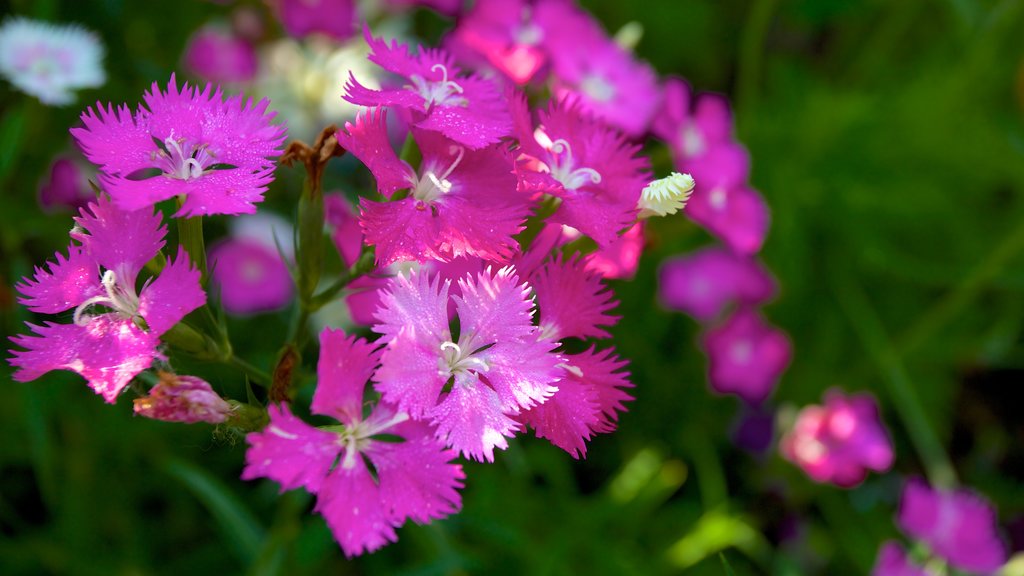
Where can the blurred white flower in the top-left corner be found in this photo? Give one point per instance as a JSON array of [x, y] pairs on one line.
[[51, 62]]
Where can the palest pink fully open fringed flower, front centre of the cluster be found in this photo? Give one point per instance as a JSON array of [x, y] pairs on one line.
[[499, 367]]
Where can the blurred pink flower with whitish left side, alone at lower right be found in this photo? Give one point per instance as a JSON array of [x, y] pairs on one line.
[[841, 441]]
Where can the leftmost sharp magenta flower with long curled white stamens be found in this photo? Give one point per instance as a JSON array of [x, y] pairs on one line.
[[100, 274]]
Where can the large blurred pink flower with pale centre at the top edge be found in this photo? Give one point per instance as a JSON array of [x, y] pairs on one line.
[[607, 79]]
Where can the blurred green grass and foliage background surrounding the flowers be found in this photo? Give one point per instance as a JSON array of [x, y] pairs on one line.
[[888, 139]]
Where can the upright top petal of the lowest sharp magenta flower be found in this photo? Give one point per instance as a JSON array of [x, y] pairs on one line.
[[346, 365]]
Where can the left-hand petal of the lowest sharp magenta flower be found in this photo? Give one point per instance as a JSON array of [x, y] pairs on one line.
[[290, 452]]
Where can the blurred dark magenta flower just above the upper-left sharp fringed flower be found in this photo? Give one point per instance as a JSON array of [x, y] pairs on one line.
[[219, 56]]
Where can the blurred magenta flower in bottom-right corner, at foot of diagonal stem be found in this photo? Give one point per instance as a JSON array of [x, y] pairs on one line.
[[958, 525]]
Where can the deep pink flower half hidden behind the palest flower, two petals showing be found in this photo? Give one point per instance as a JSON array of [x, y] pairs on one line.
[[575, 304]]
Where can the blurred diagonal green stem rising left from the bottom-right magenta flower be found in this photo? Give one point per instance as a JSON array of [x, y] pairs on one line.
[[903, 393]]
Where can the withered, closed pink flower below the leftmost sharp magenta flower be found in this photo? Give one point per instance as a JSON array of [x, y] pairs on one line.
[[183, 399]]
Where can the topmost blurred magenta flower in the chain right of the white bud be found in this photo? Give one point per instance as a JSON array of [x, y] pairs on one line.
[[693, 127]]
